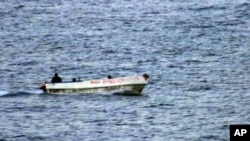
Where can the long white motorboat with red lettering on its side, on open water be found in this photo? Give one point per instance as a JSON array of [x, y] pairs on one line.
[[132, 85]]
